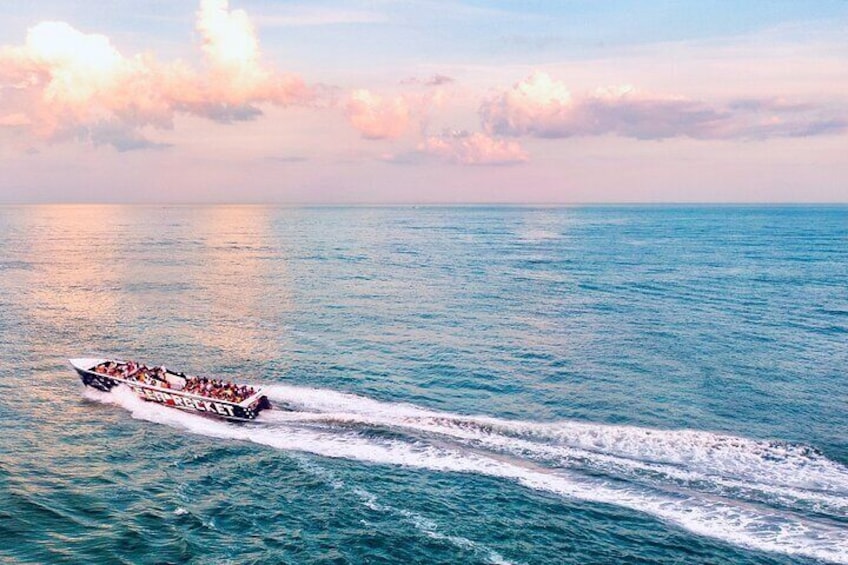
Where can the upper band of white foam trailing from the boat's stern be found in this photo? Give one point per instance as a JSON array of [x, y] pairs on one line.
[[770, 463]]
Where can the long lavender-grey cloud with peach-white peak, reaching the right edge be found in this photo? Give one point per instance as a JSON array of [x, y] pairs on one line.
[[542, 107]]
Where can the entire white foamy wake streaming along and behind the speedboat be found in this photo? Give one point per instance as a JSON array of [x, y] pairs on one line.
[[768, 496]]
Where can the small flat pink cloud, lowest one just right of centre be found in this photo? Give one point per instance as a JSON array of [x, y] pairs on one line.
[[463, 148]]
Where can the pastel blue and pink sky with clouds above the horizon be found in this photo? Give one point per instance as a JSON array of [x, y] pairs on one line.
[[424, 101]]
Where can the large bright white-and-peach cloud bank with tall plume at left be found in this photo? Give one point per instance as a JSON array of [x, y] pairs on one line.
[[66, 84]]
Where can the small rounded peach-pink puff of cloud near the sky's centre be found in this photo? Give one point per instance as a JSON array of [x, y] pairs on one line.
[[377, 117]]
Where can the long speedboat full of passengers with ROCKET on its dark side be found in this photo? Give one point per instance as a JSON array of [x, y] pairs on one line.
[[201, 395]]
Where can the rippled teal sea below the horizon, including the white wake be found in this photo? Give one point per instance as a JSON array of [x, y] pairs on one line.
[[470, 385]]
